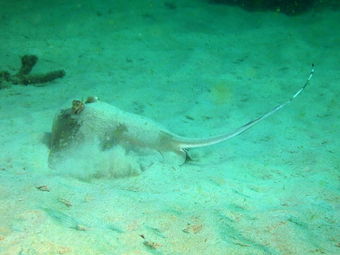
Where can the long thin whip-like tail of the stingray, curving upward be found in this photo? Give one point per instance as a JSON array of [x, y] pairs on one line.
[[186, 143]]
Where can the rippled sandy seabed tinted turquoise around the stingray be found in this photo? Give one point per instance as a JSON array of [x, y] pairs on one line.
[[200, 70]]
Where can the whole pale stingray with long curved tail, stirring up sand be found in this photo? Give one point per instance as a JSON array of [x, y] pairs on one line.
[[108, 125]]
